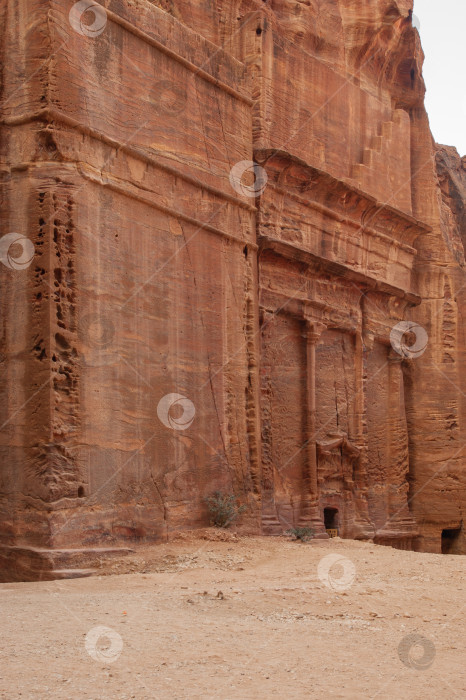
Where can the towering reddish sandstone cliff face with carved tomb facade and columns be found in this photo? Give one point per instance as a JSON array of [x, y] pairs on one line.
[[232, 258]]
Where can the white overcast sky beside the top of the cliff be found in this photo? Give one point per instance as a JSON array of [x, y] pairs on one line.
[[443, 36]]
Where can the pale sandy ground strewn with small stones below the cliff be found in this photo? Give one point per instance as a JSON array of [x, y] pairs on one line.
[[242, 618]]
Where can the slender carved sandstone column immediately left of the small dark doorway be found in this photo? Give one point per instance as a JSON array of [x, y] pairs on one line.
[[310, 511]]
